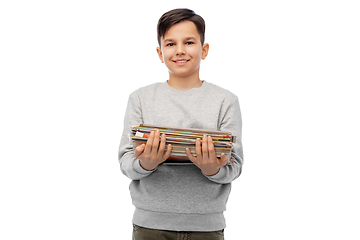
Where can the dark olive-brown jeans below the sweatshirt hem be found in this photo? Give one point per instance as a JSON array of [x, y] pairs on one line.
[[140, 233]]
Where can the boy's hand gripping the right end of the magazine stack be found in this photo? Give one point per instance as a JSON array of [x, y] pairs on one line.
[[206, 158]]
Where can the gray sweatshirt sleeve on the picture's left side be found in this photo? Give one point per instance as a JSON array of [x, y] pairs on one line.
[[129, 164]]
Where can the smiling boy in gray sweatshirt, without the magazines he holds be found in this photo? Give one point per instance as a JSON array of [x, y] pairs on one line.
[[184, 201]]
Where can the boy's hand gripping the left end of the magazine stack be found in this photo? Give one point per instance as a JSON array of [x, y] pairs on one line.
[[150, 154]]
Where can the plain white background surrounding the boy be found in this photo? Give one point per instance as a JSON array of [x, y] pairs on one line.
[[68, 67]]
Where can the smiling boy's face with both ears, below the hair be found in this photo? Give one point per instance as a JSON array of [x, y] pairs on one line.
[[181, 50]]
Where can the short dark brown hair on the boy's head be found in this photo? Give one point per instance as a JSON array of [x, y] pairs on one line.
[[175, 16]]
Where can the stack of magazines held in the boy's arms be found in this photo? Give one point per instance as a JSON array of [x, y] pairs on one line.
[[182, 138]]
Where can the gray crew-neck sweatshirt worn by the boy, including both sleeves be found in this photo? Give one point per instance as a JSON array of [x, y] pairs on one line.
[[179, 197]]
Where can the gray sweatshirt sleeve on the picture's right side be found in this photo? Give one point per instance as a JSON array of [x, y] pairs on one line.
[[231, 122]]
